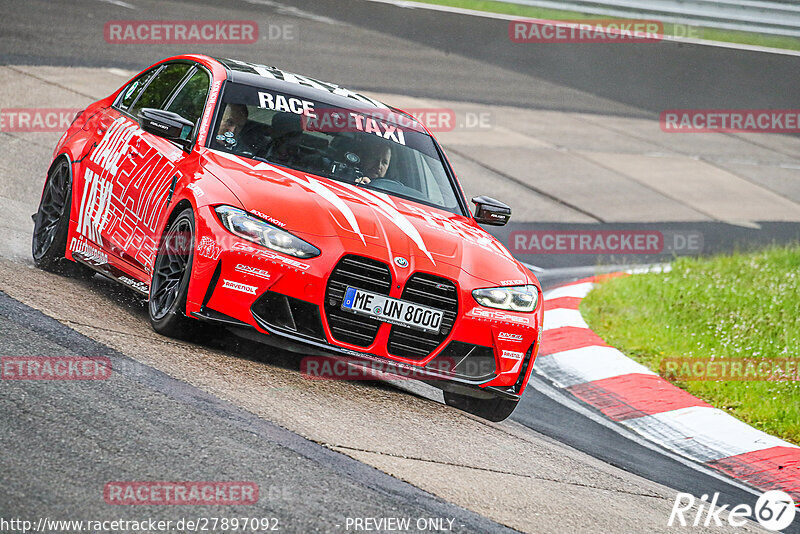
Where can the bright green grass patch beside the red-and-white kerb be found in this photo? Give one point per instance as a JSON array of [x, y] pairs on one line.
[[746, 305]]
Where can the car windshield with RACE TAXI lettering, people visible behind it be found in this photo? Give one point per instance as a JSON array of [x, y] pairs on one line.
[[374, 148]]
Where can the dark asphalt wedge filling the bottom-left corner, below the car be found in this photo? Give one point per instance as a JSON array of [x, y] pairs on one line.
[[180, 431]]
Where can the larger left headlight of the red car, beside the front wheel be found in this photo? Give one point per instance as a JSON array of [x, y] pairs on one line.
[[246, 226]]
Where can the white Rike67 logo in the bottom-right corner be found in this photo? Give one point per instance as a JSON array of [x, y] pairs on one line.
[[774, 510]]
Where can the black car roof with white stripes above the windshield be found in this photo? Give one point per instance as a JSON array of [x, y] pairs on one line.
[[274, 78]]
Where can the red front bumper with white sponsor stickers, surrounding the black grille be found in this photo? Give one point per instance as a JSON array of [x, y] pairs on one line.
[[232, 279]]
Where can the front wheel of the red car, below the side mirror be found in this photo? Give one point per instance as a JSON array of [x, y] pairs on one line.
[[169, 286]]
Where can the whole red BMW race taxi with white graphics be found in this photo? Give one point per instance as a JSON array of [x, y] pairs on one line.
[[298, 212]]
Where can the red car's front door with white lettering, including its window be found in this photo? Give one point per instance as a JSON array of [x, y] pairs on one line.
[[129, 175]]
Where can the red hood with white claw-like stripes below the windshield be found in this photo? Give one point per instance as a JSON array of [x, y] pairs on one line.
[[361, 219]]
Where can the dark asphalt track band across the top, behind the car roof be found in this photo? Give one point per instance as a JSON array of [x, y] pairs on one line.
[[388, 49]]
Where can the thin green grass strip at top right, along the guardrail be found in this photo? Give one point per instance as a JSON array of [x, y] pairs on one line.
[[711, 34]]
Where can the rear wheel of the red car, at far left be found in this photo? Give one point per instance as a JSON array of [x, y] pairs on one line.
[[51, 223]]
